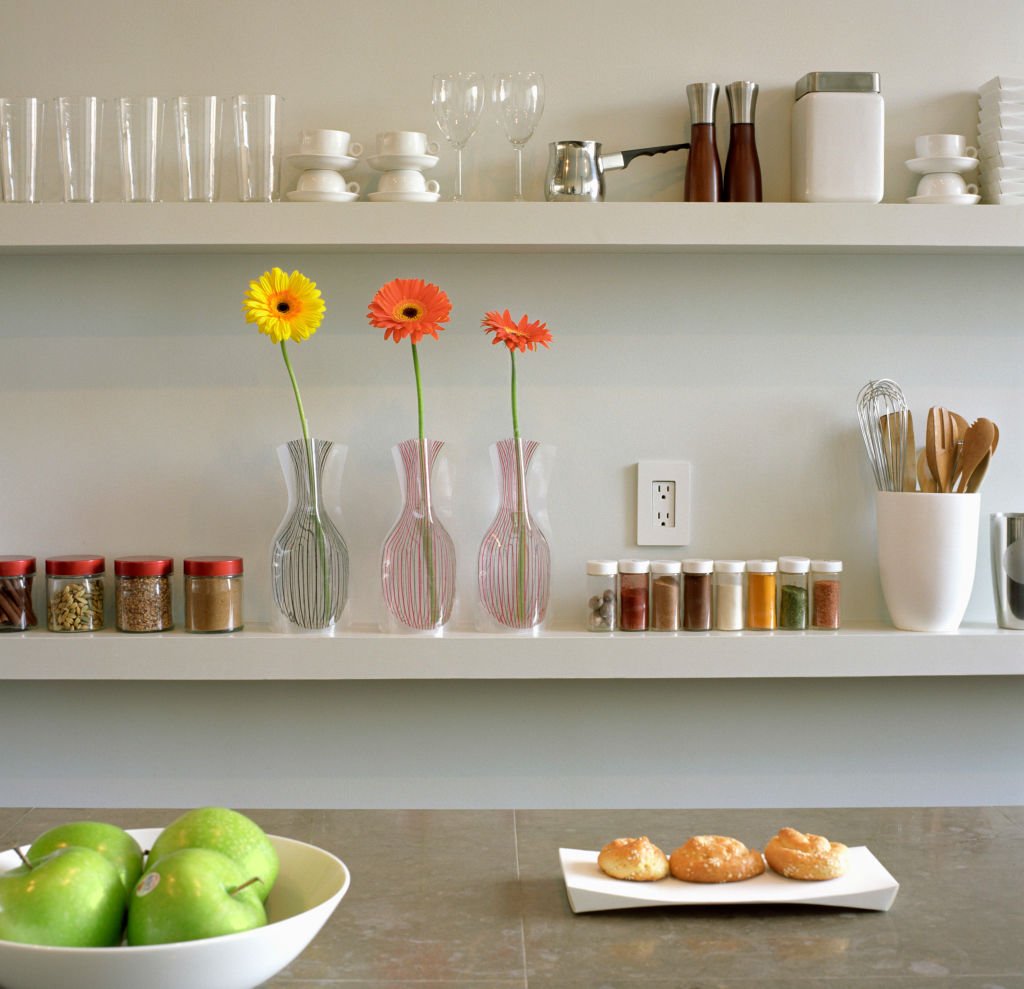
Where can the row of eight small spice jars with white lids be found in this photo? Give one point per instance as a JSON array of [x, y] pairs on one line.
[[793, 593]]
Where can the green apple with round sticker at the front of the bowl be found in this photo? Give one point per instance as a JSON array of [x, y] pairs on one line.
[[192, 894]]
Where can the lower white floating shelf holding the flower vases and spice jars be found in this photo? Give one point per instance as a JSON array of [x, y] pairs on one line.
[[259, 654]]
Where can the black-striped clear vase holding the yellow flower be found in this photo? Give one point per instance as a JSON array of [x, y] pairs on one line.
[[309, 557]]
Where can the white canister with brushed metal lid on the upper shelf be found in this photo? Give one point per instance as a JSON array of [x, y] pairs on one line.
[[838, 139]]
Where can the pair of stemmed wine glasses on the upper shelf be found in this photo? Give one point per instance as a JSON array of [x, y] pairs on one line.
[[518, 99]]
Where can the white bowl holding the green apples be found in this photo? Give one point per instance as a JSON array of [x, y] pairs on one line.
[[310, 886]]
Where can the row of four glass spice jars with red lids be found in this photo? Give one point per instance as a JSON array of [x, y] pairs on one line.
[[214, 593]]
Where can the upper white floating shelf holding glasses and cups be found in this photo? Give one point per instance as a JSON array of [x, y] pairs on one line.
[[665, 228]]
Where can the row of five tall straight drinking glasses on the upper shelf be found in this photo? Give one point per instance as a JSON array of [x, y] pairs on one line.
[[198, 123]]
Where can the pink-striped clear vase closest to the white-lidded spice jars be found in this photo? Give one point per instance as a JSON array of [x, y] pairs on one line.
[[515, 562]]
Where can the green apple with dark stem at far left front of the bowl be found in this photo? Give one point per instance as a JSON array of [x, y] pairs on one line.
[[71, 898]]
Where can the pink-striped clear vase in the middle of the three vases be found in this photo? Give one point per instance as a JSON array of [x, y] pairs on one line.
[[418, 556]]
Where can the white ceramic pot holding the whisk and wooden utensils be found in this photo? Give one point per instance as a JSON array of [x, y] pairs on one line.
[[928, 547]]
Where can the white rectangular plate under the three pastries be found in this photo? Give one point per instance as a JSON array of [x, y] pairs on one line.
[[867, 886]]
